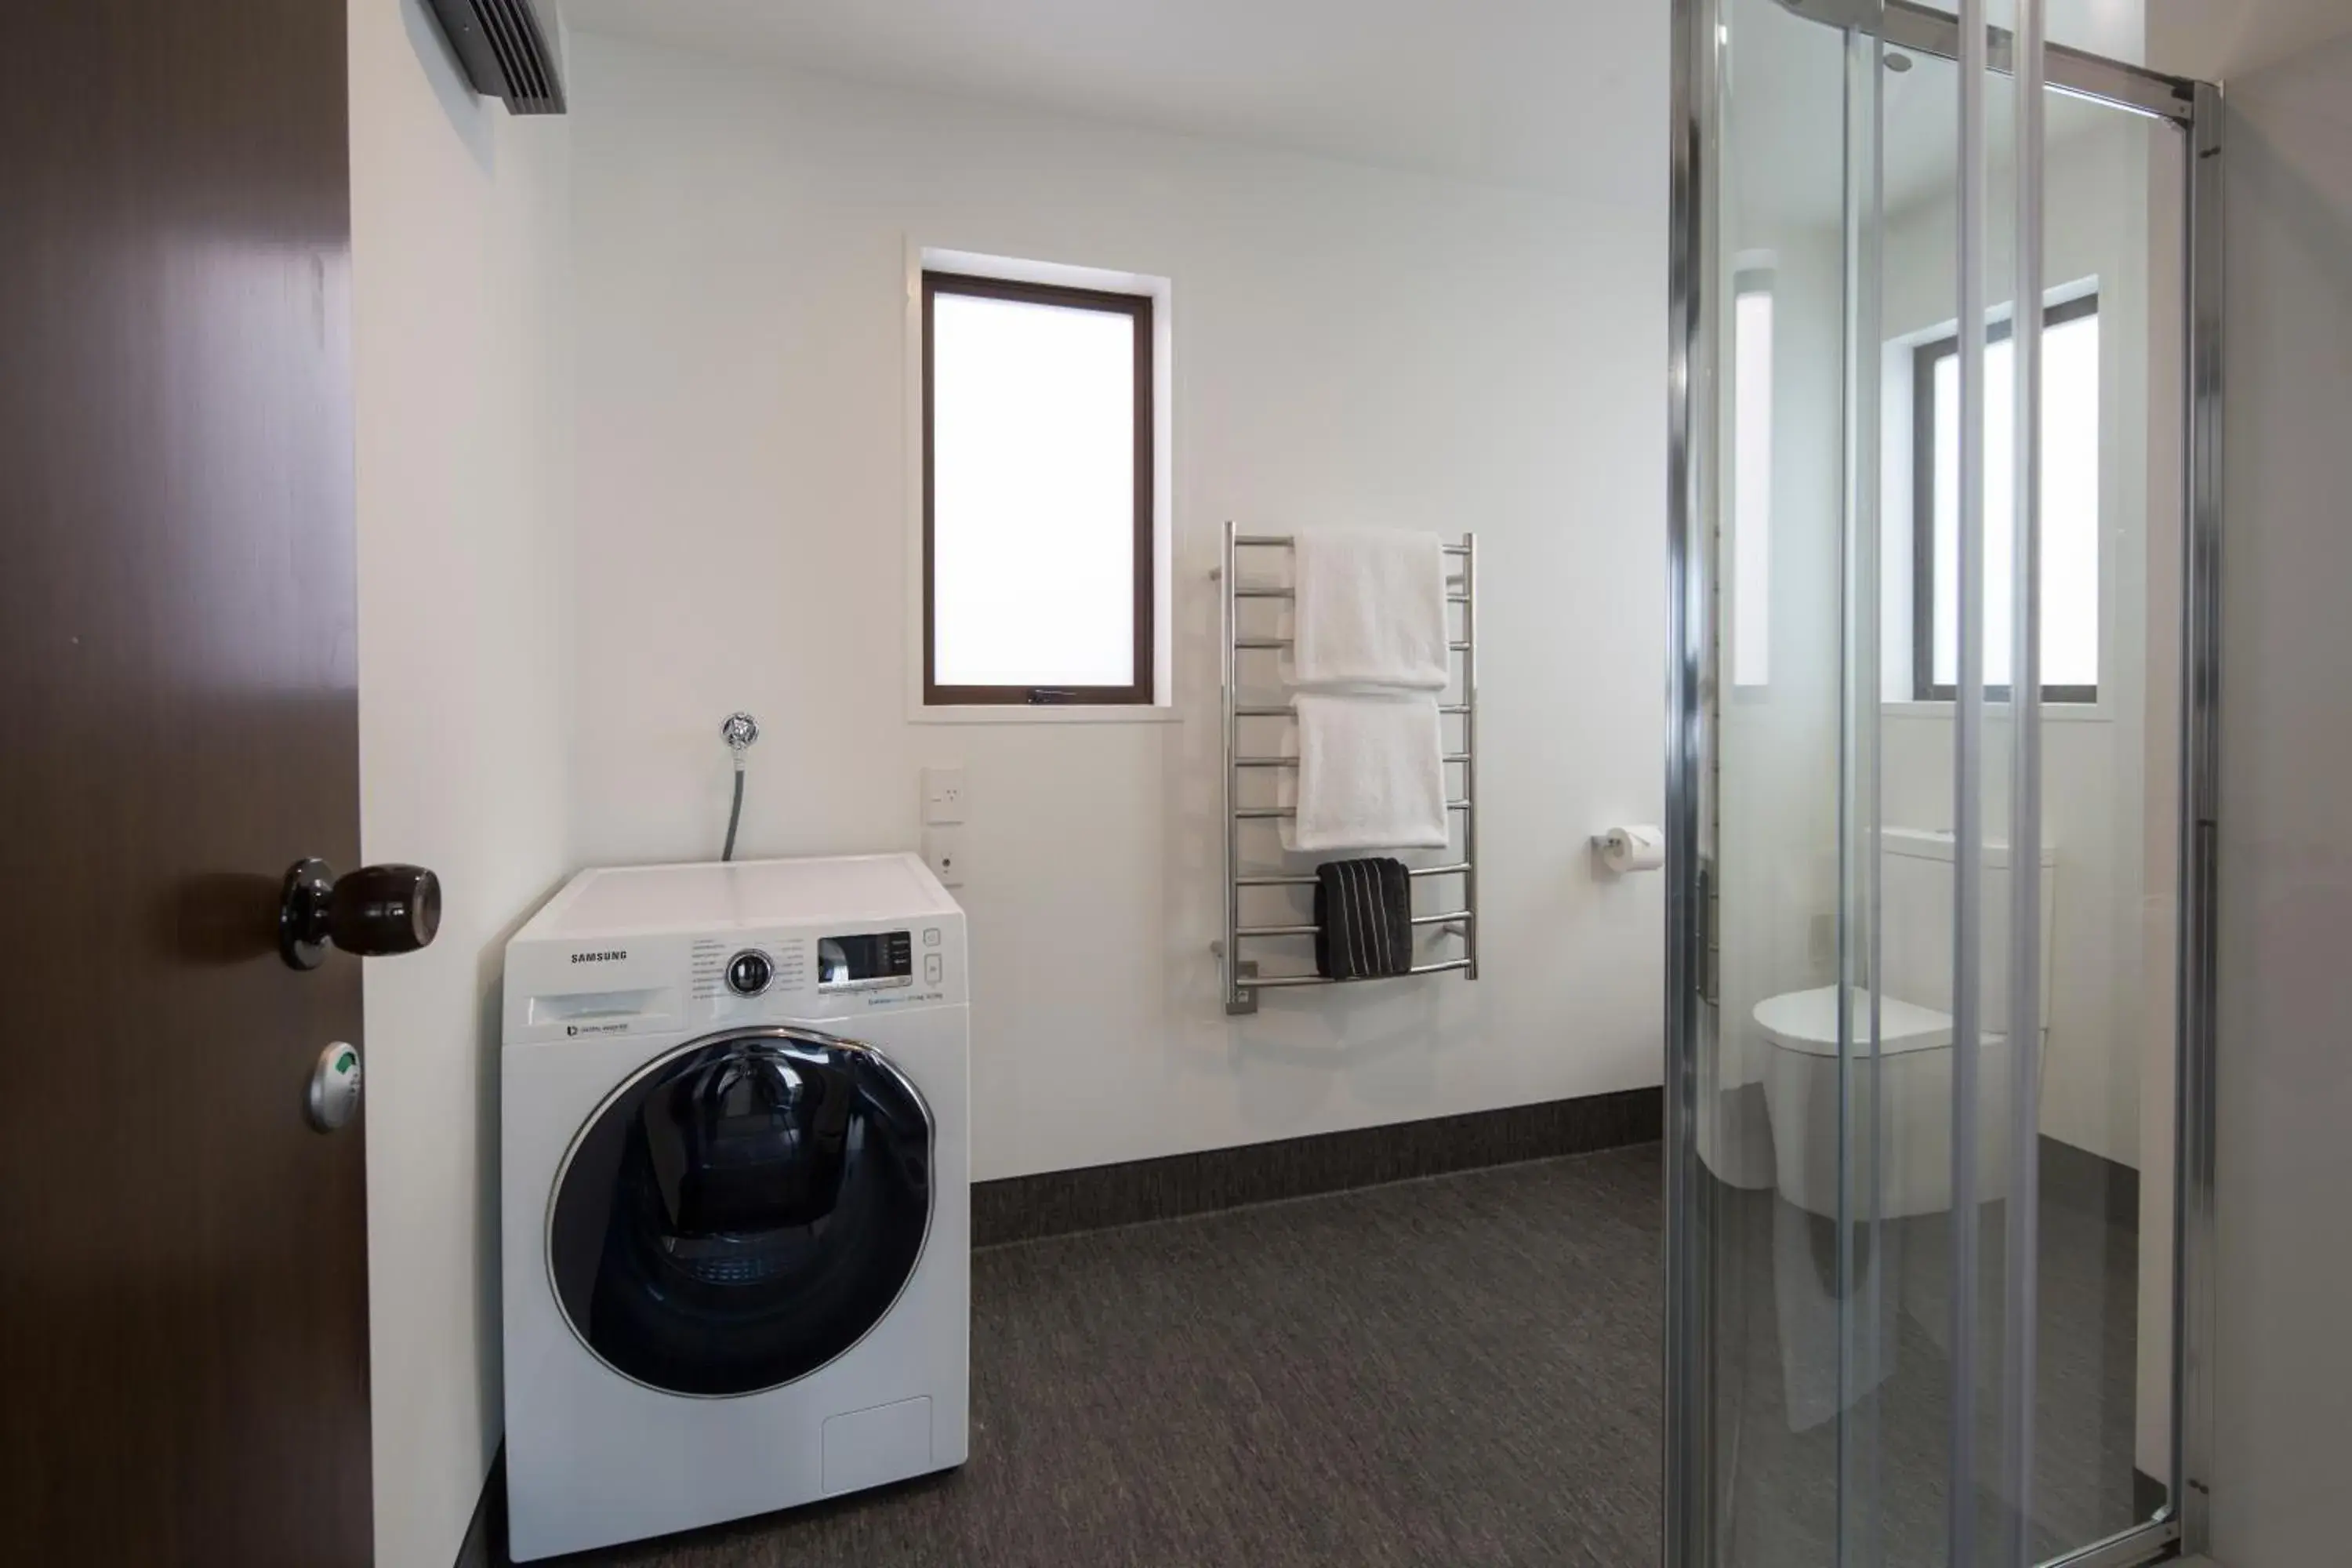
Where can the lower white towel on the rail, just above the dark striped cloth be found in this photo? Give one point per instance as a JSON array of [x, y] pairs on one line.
[[1370, 772]]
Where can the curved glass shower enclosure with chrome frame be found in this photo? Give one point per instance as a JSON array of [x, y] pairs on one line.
[[1939, 789]]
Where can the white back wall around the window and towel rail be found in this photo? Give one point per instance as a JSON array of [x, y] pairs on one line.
[[1351, 344]]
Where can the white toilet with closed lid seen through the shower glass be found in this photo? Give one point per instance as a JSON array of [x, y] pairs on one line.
[[1916, 1040]]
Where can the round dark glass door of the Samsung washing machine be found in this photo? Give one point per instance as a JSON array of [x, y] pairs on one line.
[[742, 1212]]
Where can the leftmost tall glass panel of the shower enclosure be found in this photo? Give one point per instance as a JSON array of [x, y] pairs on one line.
[[1763, 631]]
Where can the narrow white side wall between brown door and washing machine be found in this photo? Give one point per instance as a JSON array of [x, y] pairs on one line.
[[457, 243]]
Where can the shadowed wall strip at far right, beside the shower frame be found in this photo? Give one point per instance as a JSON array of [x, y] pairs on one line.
[[2283, 1365]]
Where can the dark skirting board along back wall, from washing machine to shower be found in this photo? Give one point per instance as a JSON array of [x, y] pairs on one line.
[[1130, 1193]]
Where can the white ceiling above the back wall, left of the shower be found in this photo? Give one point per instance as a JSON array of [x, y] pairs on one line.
[[1556, 95]]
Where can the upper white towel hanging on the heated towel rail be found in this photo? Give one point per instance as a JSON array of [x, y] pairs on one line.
[[1372, 610]]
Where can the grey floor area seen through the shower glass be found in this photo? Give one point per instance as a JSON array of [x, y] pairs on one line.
[[1777, 1398]]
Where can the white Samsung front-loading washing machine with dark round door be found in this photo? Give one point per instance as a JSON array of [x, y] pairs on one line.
[[737, 1207]]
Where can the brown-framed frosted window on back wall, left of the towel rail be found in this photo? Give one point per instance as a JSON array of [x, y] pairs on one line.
[[1036, 495]]
